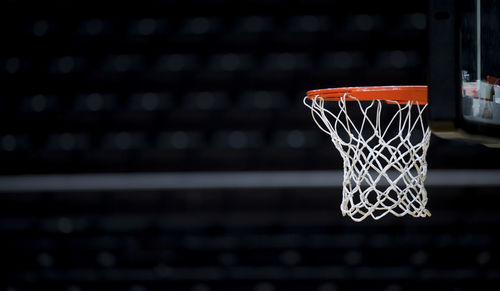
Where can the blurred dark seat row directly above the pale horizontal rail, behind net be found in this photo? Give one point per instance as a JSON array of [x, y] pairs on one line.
[[181, 150]]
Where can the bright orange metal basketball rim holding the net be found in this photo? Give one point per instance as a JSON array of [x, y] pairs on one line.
[[399, 94]]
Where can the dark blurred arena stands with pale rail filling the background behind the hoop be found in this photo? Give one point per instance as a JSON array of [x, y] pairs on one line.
[[162, 145]]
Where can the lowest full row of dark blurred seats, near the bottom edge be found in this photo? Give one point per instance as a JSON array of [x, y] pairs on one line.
[[182, 258]]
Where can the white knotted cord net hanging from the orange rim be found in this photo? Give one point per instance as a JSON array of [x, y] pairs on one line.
[[383, 154]]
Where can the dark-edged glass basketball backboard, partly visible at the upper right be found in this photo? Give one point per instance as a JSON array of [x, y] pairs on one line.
[[464, 69]]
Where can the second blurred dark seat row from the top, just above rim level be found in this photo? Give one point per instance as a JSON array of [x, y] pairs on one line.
[[217, 62]]
